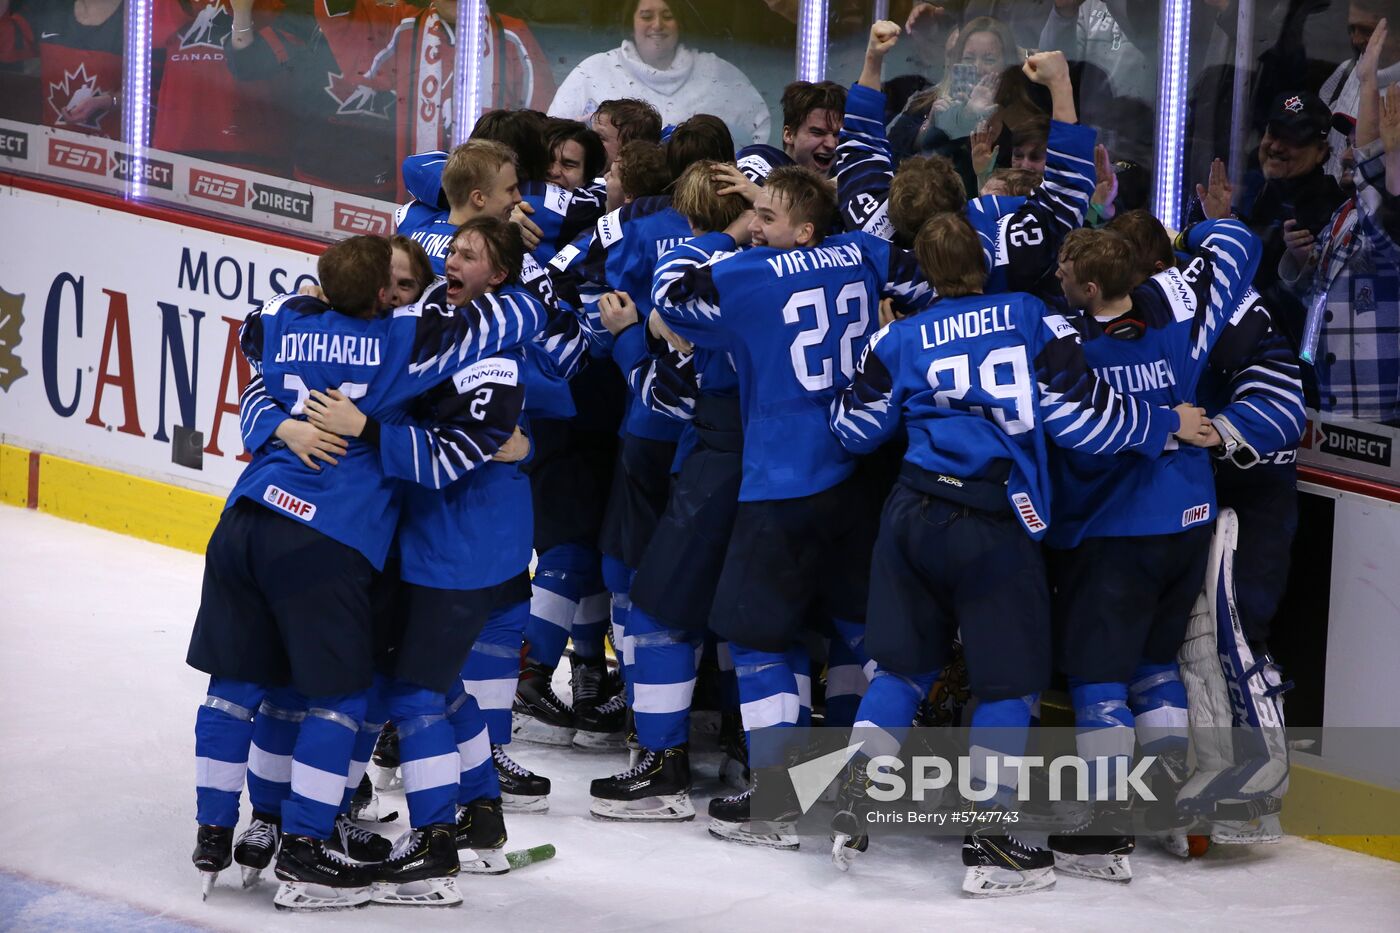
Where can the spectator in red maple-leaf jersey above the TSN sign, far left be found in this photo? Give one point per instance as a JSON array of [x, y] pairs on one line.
[[80, 64]]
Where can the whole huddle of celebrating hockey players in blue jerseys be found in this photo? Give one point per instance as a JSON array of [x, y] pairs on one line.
[[762, 421]]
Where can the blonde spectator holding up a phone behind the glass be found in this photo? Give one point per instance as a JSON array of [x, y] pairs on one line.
[[968, 95]]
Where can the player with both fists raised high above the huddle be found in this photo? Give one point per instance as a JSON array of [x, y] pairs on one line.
[[1020, 237]]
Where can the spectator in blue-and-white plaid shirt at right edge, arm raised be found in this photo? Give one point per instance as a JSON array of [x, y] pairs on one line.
[[1350, 277]]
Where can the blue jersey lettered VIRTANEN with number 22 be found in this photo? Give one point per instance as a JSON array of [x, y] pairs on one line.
[[794, 323]]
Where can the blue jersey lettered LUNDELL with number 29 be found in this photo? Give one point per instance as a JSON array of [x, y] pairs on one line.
[[981, 382]]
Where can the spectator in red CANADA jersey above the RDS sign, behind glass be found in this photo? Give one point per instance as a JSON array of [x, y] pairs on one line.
[[201, 110]]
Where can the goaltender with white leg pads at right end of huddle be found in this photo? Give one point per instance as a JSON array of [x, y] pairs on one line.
[[1254, 393]]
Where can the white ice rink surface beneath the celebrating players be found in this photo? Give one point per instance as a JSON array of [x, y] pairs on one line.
[[97, 756]]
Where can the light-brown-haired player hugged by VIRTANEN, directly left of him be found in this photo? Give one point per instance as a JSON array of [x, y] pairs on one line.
[[675, 575]]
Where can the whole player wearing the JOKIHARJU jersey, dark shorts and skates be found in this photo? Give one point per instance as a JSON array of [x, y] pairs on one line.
[[255, 628]]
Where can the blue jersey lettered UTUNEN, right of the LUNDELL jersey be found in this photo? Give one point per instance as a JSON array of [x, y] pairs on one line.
[[1184, 313]]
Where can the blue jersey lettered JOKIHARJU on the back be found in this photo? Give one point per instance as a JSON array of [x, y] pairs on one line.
[[297, 344]]
